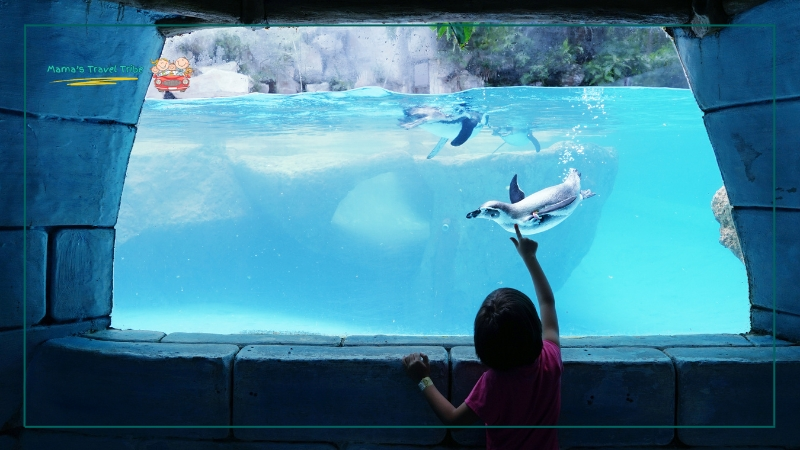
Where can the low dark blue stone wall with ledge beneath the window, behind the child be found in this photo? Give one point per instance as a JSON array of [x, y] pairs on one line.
[[240, 389]]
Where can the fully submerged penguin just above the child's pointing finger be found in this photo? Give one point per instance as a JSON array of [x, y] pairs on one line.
[[539, 211]]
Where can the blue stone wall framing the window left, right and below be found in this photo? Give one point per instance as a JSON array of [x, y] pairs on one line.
[[59, 199]]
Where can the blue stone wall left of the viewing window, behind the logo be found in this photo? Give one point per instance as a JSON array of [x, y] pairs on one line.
[[61, 182]]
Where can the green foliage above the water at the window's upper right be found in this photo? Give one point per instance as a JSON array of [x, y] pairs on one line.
[[505, 56]]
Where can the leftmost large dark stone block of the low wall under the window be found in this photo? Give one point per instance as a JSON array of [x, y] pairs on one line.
[[75, 381]]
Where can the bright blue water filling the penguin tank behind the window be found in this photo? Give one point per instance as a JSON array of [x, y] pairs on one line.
[[318, 213]]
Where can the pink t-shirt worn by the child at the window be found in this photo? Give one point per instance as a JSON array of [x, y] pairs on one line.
[[527, 395]]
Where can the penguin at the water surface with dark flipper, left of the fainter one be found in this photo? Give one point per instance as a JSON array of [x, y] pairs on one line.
[[459, 127]]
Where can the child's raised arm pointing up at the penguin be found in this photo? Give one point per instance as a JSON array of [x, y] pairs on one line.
[[547, 303]]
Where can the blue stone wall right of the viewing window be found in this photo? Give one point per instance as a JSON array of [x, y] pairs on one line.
[[744, 79]]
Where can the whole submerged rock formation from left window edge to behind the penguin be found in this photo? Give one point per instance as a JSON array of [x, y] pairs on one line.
[[348, 230]]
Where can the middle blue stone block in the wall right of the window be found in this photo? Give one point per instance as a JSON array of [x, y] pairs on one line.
[[742, 138]]
